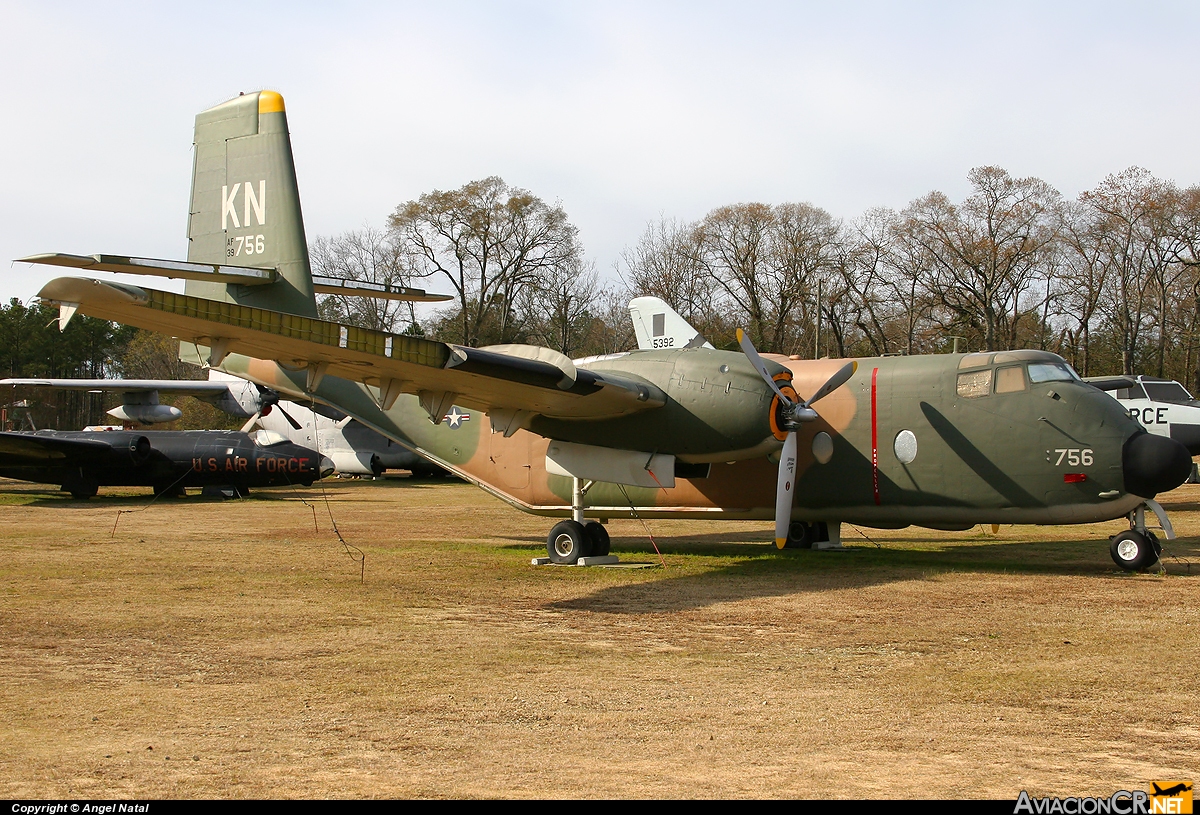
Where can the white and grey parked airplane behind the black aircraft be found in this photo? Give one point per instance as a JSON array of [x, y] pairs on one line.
[[353, 448]]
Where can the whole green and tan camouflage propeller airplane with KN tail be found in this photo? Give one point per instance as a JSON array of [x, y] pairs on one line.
[[675, 430]]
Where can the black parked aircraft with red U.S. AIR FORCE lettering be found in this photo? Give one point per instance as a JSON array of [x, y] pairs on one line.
[[169, 462]]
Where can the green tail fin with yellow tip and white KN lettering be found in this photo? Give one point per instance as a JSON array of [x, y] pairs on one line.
[[245, 205]]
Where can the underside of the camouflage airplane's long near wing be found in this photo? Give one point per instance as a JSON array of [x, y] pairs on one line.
[[514, 379]]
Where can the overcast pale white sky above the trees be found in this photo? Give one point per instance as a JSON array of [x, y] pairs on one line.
[[622, 112]]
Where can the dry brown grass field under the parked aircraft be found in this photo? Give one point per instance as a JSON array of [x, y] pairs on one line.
[[229, 650]]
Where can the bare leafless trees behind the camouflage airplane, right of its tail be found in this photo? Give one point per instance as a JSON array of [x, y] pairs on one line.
[[1109, 280]]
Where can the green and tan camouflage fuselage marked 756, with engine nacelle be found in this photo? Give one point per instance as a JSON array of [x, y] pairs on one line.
[[937, 441]]
